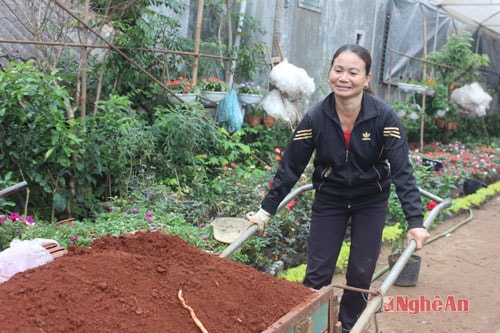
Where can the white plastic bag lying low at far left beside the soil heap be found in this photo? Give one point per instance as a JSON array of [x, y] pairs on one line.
[[23, 255]]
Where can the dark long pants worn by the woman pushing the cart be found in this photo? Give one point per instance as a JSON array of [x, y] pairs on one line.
[[328, 226]]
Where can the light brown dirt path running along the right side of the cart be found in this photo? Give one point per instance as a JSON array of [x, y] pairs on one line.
[[460, 270]]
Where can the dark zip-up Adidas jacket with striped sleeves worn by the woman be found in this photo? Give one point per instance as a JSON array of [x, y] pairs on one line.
[[357, 176]]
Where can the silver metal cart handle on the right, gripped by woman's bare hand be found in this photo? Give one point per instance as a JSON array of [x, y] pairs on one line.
[[375, 303]]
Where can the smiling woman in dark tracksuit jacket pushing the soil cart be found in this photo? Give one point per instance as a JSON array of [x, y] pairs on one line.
[[355, 137]]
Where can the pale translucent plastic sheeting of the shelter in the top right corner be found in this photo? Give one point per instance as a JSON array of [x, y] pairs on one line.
[[406, 36]]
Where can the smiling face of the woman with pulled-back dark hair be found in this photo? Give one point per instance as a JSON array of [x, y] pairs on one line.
[[348, 75]]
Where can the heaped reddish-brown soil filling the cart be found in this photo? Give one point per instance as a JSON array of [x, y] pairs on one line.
[[131, 284]]
